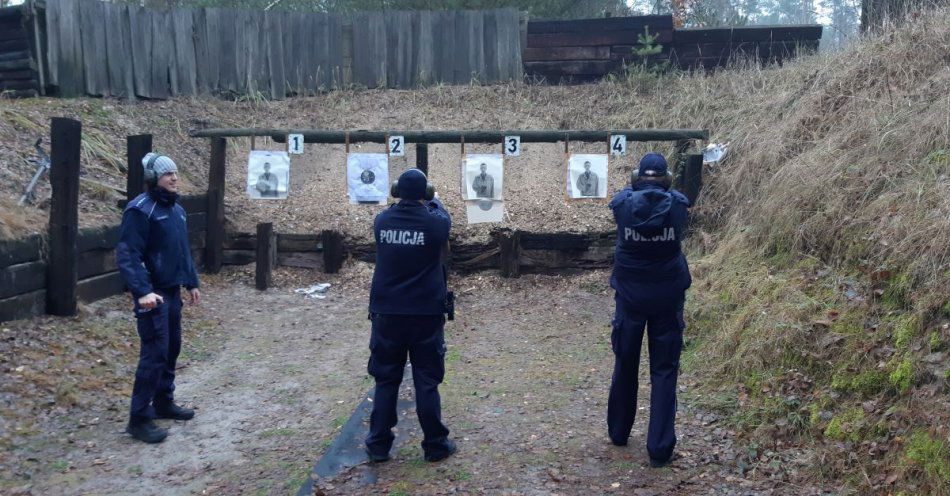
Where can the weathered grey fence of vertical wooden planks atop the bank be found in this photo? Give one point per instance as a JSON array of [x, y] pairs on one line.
[[108, 49]]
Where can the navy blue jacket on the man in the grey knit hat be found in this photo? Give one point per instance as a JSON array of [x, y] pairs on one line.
[[153, 251]]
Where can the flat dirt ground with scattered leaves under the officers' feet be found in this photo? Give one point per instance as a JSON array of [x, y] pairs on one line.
[[274, 376]]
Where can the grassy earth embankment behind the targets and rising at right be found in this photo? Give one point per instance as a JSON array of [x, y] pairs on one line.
[[820, 312]]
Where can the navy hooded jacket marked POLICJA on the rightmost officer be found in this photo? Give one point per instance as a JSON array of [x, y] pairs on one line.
[[650, 271]]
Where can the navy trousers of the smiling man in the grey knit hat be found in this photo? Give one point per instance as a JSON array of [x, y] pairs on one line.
[[160, 335]]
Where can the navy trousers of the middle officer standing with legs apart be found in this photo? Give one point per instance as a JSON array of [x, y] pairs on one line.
[[421, 337]]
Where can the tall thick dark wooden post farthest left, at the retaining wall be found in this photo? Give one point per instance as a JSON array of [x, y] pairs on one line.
[[63, 271]]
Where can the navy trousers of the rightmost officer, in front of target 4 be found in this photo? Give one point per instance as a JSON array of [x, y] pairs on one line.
[[665, 342]]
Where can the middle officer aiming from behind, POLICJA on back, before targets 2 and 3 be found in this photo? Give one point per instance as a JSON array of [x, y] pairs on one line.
[[406, 305]]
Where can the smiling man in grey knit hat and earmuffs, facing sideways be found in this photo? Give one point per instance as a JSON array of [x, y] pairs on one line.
[[154, 258]]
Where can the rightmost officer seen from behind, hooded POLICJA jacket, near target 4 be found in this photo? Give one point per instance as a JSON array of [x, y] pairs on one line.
[[650, 277]]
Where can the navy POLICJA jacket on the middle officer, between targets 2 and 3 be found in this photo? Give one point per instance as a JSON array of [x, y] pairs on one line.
[[409, 278]]
